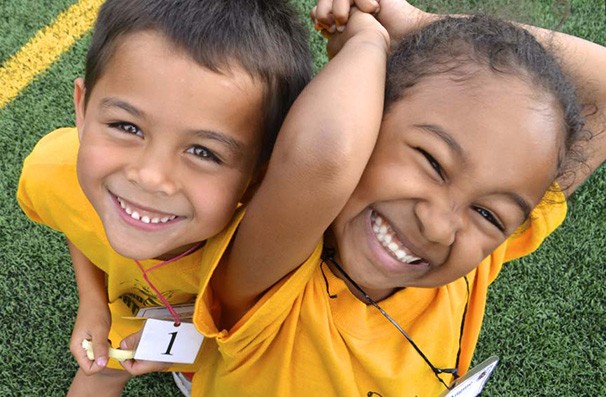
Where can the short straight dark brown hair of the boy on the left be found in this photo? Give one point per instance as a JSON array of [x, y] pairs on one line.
[[263, 37]]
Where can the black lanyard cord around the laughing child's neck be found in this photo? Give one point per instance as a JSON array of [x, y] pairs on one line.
[[329, 255]]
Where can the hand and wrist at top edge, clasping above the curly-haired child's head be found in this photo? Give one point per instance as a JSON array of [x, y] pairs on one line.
[[397, 16]]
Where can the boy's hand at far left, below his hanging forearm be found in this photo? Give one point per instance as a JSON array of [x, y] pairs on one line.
[[92, 323]]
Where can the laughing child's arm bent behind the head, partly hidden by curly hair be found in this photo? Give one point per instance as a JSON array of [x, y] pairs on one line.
[[582, 60]]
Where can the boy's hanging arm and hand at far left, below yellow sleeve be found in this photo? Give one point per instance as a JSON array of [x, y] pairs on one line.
[[93, 319]]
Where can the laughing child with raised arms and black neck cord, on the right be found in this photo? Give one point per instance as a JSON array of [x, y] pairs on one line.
[[447, 184]]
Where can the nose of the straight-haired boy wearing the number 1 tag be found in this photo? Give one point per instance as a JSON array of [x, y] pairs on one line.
[[153, 171]]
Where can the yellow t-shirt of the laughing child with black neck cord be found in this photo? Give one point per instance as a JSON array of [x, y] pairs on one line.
[[299, 341]]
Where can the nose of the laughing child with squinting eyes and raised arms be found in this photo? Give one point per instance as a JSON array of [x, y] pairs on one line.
[[439, 220]]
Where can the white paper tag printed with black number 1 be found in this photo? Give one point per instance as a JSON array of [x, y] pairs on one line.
[[165, 342]]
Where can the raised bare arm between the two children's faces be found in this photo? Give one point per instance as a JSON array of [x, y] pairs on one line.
[[321, 151]]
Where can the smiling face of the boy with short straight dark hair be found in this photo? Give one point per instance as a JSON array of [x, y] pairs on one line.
[[167, 147]]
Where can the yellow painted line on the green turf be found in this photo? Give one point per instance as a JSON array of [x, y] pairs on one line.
[[45, 47]]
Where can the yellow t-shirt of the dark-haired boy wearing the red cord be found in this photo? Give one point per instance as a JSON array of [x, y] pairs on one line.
[[49, 193]]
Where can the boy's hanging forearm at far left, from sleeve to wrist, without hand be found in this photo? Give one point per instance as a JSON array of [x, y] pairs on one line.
[[89, 278]]
